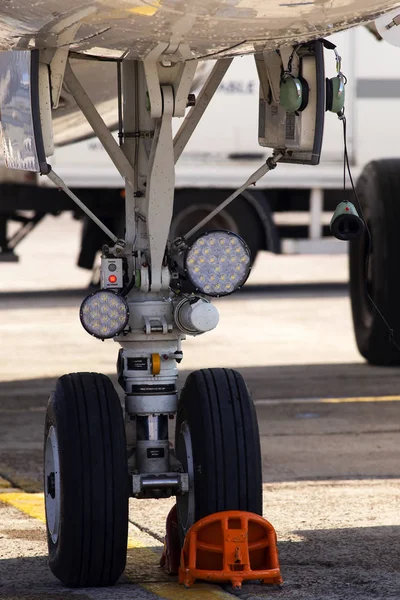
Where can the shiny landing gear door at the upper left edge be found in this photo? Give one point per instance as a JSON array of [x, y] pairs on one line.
[[25, 111]]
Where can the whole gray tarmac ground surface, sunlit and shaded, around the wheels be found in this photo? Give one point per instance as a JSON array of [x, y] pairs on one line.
[[329, 427]]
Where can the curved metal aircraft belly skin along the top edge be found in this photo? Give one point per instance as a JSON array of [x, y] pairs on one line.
[[131, 28]]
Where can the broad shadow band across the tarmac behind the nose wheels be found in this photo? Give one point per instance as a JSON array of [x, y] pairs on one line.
[[292, 429]]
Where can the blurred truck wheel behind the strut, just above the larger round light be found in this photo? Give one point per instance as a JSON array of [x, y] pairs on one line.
[[239, 217]]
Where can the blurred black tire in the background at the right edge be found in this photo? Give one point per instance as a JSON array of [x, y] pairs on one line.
[[378, 191]]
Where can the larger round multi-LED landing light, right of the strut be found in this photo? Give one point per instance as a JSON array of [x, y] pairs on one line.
[[218, 263]]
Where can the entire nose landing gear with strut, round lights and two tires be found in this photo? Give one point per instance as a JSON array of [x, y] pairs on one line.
[[153, 294]]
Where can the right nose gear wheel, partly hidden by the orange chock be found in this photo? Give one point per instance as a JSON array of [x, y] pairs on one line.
[[218, 443]]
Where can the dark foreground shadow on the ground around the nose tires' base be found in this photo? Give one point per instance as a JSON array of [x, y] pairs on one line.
[[351, 564]]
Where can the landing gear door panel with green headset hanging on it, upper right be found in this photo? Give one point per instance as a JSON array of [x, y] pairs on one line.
[[298, 133]]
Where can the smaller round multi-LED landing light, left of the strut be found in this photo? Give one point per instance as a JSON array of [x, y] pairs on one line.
[[104, 314]]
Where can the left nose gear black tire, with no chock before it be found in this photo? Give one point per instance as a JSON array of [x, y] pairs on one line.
[[90, 548]]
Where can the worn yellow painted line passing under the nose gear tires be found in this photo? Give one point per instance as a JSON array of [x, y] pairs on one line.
[[33, 505]]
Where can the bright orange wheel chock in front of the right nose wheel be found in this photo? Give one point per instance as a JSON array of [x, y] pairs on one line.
[[233, 546]]
